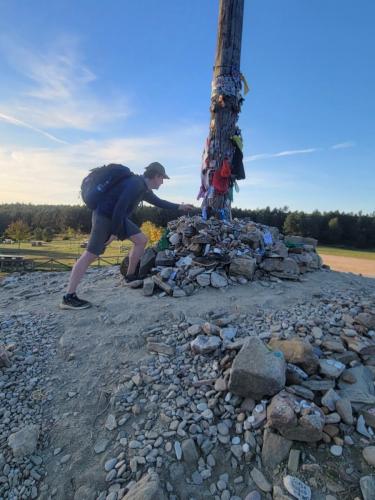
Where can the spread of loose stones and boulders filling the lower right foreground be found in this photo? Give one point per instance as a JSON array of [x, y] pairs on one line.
[[254, 391]]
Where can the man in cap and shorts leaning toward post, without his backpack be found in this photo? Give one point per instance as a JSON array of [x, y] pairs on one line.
[[110, 221]]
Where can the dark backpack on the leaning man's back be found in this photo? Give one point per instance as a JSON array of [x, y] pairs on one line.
[[100, 180]]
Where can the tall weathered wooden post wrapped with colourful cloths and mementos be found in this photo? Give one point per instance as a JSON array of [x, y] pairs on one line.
[[224, 139]]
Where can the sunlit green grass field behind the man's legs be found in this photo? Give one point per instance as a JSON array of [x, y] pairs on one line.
[[65, 252]]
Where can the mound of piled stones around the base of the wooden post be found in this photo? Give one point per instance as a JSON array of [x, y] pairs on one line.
[[219, 253]]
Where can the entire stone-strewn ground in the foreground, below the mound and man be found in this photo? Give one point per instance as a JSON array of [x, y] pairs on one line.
[[263, 390]]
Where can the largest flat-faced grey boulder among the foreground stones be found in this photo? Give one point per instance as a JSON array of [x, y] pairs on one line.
[[257, 371]]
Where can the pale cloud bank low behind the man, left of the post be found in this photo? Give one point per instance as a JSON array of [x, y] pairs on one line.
[[43, 175]]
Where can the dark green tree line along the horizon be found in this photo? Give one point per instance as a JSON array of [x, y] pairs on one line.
[[334, 228]]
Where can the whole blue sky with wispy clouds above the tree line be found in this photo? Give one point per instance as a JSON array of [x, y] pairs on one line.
[[86, 83]]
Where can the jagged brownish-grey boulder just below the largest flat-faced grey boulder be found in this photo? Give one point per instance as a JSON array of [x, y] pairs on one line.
[[306, 425]]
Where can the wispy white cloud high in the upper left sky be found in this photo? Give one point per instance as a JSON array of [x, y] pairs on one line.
[[58, 92]]
